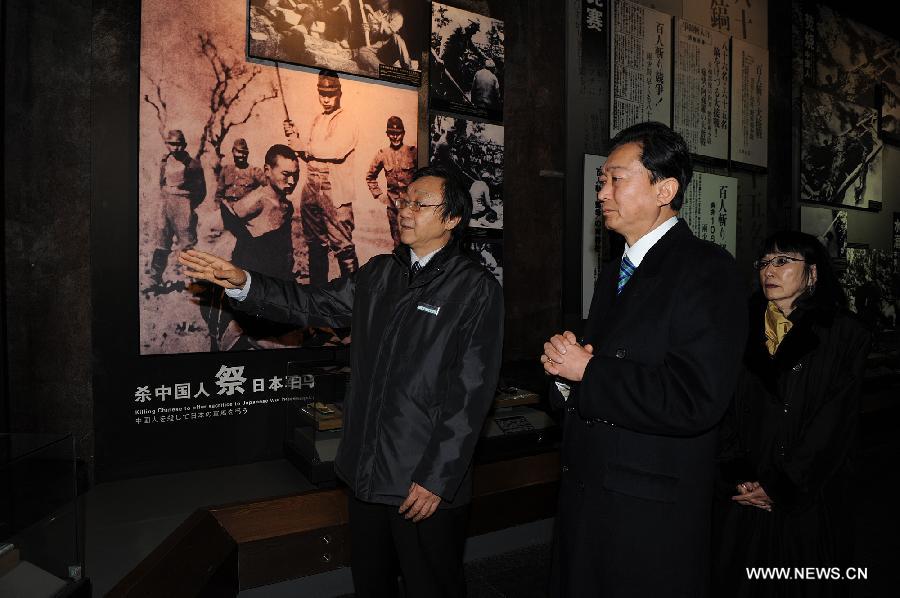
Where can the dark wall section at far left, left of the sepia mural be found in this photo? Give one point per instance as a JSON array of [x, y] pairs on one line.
[[47, 191]]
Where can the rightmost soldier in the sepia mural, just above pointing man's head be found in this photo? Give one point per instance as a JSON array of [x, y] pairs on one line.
[[398, 161]]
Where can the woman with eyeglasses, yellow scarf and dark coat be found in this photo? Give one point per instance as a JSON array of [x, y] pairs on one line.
[[787, 440]]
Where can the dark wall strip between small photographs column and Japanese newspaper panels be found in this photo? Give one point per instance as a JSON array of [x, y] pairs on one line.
[[534, 116]]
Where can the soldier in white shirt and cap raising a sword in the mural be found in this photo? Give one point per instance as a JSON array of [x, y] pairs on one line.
[[326, 201]]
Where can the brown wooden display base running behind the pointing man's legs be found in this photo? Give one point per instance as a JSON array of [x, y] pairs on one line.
[[222, 550]]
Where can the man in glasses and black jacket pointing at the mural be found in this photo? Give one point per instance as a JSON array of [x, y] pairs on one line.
[[427, 325]]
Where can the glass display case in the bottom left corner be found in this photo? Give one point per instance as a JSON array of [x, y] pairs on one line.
[[41, 528]]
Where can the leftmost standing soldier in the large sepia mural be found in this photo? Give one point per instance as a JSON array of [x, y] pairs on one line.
[[181, 189]]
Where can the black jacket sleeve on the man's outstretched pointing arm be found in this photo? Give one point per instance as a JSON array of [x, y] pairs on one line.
[[288, 302]]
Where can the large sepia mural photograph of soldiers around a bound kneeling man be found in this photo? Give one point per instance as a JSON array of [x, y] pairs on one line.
[[284, 170]]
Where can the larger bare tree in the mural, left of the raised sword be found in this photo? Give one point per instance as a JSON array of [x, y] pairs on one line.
[[232, 79]]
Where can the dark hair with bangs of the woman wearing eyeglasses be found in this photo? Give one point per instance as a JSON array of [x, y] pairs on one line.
[[827, 292]]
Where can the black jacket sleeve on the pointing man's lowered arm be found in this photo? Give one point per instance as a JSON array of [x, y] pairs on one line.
[[477, 368]]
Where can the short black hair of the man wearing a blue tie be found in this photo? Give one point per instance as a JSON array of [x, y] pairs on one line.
[[663, 152]]
